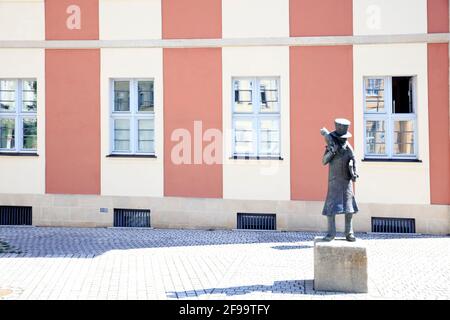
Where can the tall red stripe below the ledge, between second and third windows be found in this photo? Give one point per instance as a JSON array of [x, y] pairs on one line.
[[192, 92]]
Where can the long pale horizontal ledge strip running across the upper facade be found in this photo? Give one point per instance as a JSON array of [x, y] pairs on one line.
[[219, 43]]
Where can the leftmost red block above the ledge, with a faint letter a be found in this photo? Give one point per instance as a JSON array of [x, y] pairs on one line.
[[56, 17]]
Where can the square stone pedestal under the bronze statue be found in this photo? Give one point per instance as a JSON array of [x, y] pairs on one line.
[[340, 265]]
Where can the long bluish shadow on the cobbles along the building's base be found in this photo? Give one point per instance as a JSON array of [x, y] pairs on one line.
[[90, 242]]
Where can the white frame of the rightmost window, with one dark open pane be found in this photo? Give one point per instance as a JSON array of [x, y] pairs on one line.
[[389, 117]]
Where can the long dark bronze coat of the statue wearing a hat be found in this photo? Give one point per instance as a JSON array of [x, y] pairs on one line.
[[340, 198]]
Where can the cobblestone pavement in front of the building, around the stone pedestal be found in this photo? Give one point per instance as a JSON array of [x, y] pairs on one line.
[[102, 263]]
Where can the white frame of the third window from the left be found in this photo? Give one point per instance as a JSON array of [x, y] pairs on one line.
[[256, 116]]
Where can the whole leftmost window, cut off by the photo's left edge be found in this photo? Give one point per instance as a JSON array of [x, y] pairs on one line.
[[18, 124]]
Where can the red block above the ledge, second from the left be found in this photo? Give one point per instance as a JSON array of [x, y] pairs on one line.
[[201, 19]]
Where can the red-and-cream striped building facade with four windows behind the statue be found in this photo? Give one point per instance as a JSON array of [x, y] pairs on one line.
[[199, 110]]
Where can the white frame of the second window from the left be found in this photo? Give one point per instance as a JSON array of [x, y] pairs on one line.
[[134, 115]]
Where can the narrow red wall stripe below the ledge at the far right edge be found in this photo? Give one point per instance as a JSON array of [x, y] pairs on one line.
[[438, 108]]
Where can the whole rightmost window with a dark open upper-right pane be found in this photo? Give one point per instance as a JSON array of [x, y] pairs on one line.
[[390, 117]]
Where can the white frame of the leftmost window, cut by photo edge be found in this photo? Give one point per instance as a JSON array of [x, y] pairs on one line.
[[19, 115]]
